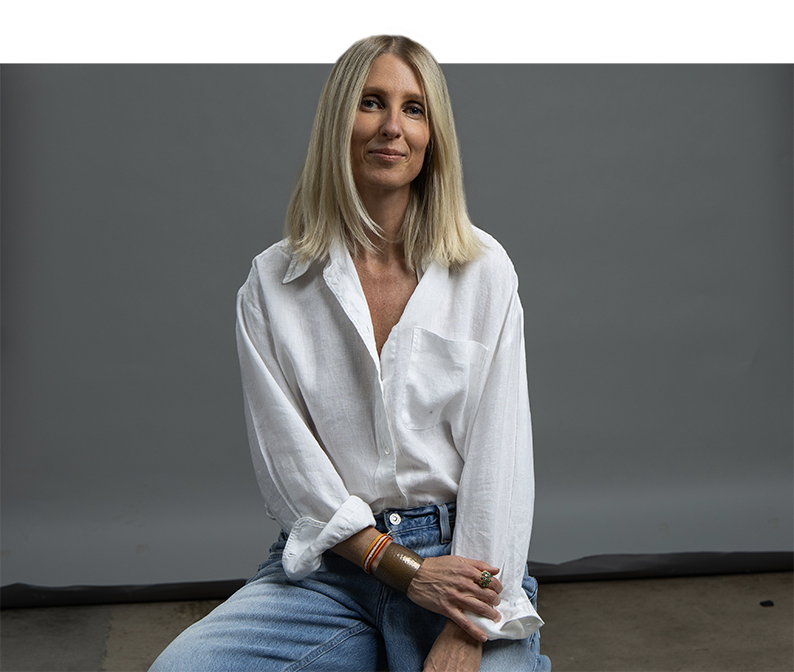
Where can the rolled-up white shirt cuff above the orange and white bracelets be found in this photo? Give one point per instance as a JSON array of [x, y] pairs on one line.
[[310, 538]]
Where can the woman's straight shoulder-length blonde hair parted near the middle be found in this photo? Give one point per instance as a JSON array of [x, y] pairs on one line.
[[325, 205]]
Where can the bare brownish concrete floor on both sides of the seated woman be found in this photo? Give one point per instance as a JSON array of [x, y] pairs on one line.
[[701, 624]]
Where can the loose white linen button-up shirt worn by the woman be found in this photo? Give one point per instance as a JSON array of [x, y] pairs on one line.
[[338, 434]]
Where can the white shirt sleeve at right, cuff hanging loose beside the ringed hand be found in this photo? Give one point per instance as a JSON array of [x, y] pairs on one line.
[[496, 496]]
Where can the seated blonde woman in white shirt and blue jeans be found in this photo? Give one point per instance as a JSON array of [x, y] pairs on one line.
[[382, 357]]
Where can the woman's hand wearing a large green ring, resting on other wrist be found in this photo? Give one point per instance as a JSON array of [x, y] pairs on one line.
[[450, 585]]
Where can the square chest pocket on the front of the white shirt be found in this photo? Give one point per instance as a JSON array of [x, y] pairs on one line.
[[443, 379]]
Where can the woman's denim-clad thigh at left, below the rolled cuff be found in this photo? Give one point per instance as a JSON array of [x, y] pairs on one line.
[[272, 624]]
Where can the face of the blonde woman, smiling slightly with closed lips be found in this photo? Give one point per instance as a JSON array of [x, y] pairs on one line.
[[390, 133]]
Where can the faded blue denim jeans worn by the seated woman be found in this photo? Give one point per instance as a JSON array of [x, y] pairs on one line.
[[338, 619]]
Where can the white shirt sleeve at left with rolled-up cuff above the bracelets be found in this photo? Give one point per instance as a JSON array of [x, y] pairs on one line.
[[301, 488]]
